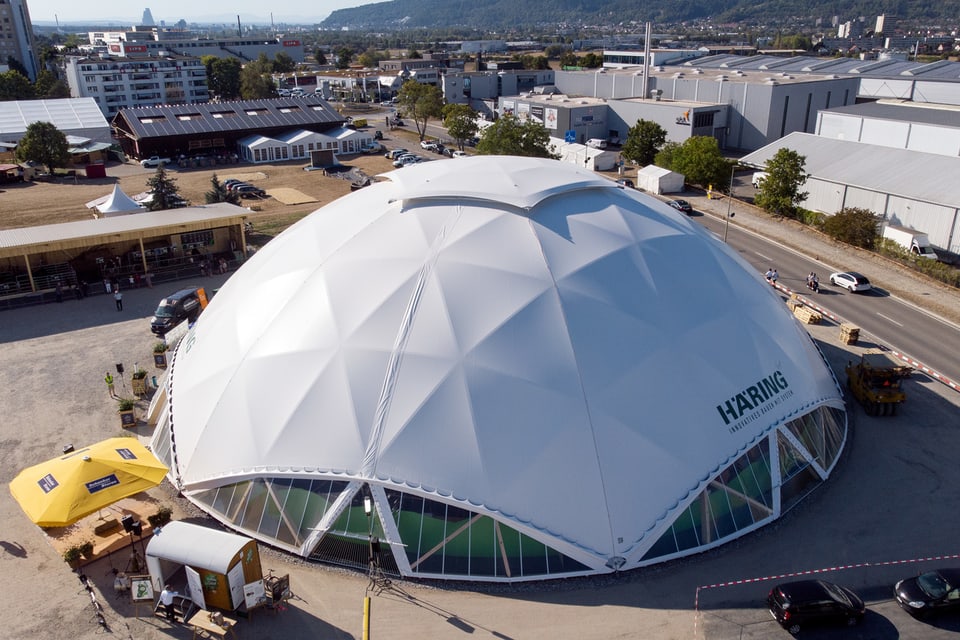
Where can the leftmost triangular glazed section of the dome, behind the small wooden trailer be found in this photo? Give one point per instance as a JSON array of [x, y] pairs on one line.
[[278, 509]]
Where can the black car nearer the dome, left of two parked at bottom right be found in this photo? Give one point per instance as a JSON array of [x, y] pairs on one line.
[[811, 602]]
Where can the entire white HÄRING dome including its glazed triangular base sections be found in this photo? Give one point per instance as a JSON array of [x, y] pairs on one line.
[[526, 370]]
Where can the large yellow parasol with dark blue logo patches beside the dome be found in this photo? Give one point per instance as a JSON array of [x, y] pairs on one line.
[[61, 491]]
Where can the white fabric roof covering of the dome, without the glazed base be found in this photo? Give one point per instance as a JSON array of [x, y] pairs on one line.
[[512, 333]]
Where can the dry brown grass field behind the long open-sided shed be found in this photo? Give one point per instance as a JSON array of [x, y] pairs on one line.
[[38, 203]]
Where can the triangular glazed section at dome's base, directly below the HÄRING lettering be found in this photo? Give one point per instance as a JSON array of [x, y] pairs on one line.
[[738, 498]]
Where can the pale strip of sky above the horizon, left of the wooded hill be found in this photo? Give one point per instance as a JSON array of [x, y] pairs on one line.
[[170, 11]]
